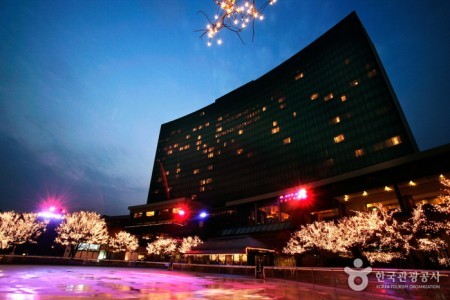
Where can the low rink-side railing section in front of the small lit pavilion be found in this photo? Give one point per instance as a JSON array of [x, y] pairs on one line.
[[217, 269]]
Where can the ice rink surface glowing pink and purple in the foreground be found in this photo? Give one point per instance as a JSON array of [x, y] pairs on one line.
[[71, 282]]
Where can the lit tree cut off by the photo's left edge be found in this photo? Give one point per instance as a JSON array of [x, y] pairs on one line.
[[18, 228]]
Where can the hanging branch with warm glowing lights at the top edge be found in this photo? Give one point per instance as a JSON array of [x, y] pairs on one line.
[[234, 15]]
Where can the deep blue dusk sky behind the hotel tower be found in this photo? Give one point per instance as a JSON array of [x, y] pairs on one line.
[[86, 85]]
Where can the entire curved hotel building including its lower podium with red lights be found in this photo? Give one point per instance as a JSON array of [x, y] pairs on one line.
[[325, 125]]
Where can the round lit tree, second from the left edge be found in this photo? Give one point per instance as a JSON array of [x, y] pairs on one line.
[[81, 228]]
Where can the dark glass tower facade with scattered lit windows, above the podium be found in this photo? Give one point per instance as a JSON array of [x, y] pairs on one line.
[[326, 111]]
